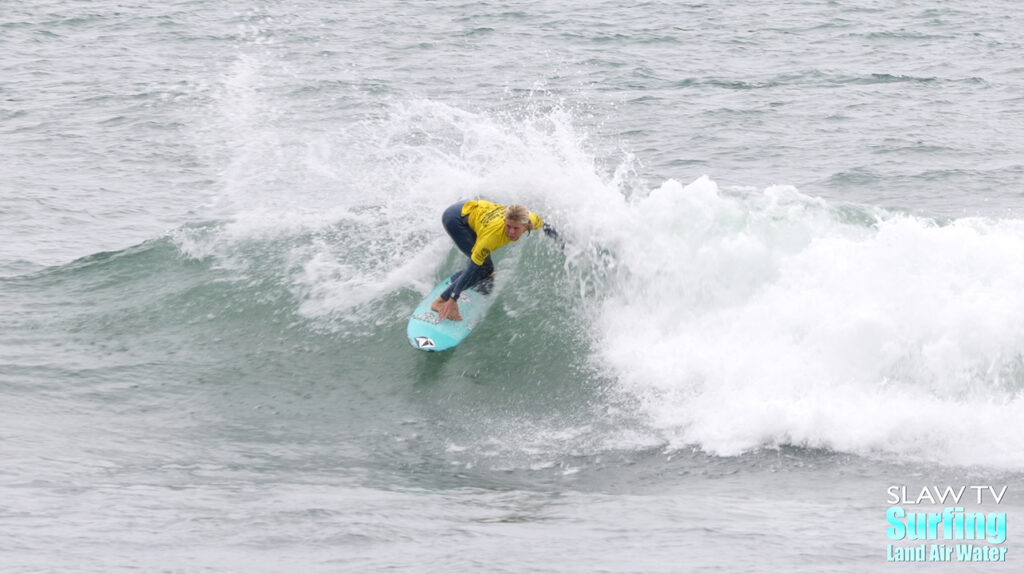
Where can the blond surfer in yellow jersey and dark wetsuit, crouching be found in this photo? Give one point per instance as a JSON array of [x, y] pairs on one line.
[[479, 229]]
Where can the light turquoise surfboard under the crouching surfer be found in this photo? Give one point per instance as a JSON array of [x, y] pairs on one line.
[[428, 333]]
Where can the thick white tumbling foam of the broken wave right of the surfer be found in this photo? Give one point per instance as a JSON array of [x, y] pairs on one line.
[[759, 320]]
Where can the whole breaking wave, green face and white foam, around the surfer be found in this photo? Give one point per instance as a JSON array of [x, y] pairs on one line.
[[681, 317]]
